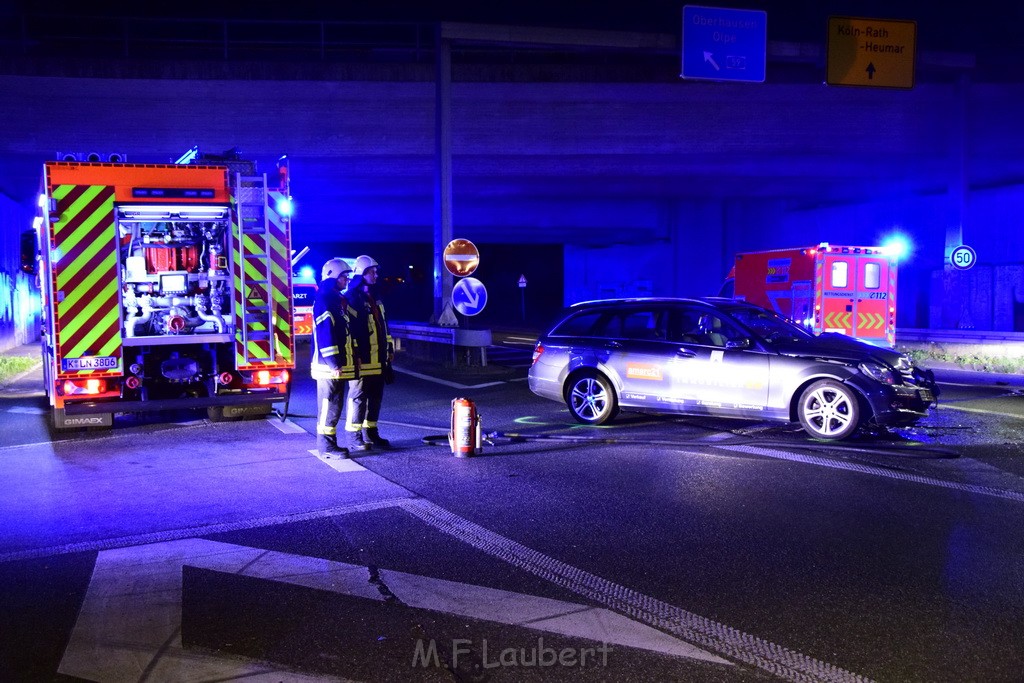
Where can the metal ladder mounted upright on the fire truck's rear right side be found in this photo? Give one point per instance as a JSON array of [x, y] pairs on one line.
[[258, 312]]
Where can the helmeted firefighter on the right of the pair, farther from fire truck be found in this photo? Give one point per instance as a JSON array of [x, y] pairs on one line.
[[375, 350]]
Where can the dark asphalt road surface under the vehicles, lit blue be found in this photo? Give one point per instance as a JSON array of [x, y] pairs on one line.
[[657, 548]]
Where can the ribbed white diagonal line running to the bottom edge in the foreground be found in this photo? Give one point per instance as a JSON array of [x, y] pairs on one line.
[[715, 637]]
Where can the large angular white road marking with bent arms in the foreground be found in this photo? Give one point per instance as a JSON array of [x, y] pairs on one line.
[[130, 627]]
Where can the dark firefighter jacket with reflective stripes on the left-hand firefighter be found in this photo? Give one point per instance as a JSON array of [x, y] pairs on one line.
[[333, 354]]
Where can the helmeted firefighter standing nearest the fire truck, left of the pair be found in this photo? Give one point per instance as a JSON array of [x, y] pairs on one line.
[[333, 355]]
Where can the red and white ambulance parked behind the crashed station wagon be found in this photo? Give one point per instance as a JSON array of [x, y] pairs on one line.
[[826, 288]]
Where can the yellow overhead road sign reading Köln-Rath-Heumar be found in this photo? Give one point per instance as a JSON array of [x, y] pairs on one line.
[[878, 54]]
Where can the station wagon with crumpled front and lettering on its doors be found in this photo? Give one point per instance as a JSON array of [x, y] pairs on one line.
[[722, 358]]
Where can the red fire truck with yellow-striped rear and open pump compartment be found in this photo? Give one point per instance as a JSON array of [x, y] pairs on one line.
[[164, 286]]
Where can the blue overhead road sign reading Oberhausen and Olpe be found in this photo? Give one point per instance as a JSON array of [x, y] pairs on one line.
[[724, 45]]
